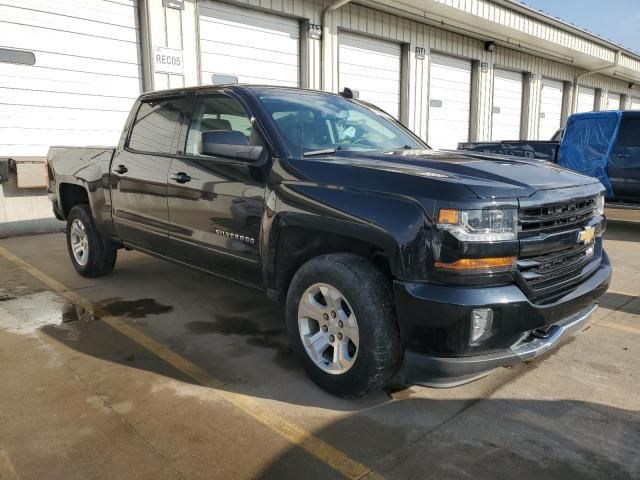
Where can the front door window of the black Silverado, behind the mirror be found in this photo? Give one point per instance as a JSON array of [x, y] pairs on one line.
[[216, 112]]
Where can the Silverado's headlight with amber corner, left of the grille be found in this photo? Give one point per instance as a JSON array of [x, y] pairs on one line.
[[488, 225]]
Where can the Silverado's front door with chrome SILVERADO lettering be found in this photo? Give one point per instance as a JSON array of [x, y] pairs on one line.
[[216, 204]]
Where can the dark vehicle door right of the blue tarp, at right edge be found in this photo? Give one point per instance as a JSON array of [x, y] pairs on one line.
[[624, 163]]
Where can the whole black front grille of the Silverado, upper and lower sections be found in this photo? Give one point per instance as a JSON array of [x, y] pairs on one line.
[[550, 272]]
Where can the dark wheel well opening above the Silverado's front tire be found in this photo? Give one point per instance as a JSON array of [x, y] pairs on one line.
[[298, 245]]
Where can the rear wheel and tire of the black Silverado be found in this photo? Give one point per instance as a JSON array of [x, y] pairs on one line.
[[93, 257]]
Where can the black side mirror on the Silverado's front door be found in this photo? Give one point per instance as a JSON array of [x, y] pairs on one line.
[[230, 144]]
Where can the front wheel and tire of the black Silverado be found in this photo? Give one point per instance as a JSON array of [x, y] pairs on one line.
[[363, 294]]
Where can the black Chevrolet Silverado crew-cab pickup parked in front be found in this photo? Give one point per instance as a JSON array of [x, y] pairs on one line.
[[391, 258]]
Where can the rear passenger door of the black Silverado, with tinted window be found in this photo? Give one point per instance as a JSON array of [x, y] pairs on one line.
[[139, 174]]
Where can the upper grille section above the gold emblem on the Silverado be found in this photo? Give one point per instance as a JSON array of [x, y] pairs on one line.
[[556, 217]]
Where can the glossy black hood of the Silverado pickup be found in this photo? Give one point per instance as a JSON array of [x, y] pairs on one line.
[[482, 175]]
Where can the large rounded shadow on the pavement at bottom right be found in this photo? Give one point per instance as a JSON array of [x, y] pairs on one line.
[[491, 439]]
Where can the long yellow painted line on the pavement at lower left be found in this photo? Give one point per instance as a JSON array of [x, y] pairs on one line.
[[311, 444]]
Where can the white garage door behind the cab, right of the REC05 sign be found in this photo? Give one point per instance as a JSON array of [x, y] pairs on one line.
[[255, 47]]
